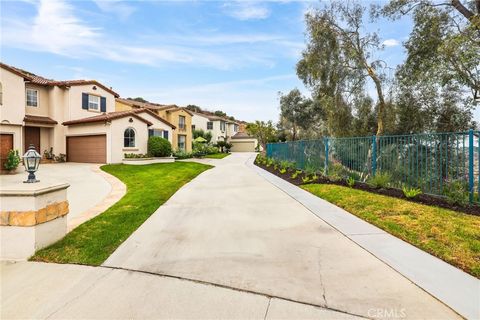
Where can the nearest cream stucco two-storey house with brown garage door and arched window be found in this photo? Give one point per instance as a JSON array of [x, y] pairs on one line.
[[74, 117]]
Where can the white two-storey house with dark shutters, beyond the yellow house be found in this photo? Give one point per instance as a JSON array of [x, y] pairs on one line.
[[221, 128]]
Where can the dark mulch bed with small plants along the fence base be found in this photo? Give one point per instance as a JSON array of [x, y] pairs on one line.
[[396, 193]]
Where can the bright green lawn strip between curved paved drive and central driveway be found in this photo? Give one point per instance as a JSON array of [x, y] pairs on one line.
[[148, 187]]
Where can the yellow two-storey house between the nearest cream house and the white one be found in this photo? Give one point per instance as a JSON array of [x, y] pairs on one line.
[[181, 118]]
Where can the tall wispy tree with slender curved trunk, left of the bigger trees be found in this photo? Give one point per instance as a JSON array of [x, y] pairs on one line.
[[340, 58]]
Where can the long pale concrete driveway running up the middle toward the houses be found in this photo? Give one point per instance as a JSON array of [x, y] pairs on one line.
[[232, 228]]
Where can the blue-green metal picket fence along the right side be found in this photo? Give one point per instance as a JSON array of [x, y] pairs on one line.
[[429, 161]]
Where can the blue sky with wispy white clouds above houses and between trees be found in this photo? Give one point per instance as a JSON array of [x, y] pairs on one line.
[[234, 55]]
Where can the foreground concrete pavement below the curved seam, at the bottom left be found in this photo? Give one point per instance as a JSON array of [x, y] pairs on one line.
[[51, 291]]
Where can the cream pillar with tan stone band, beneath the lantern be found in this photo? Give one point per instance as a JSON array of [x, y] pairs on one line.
[[32, 216]]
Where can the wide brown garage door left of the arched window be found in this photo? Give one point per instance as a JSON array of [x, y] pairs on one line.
[[91, 149]]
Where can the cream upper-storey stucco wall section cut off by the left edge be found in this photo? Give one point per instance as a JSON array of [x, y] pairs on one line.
[[13, 107]]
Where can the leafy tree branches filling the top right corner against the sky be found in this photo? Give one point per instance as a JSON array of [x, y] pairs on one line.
[[445, 40]]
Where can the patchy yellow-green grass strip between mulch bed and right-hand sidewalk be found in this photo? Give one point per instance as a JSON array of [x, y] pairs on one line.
[[451, 236]]
